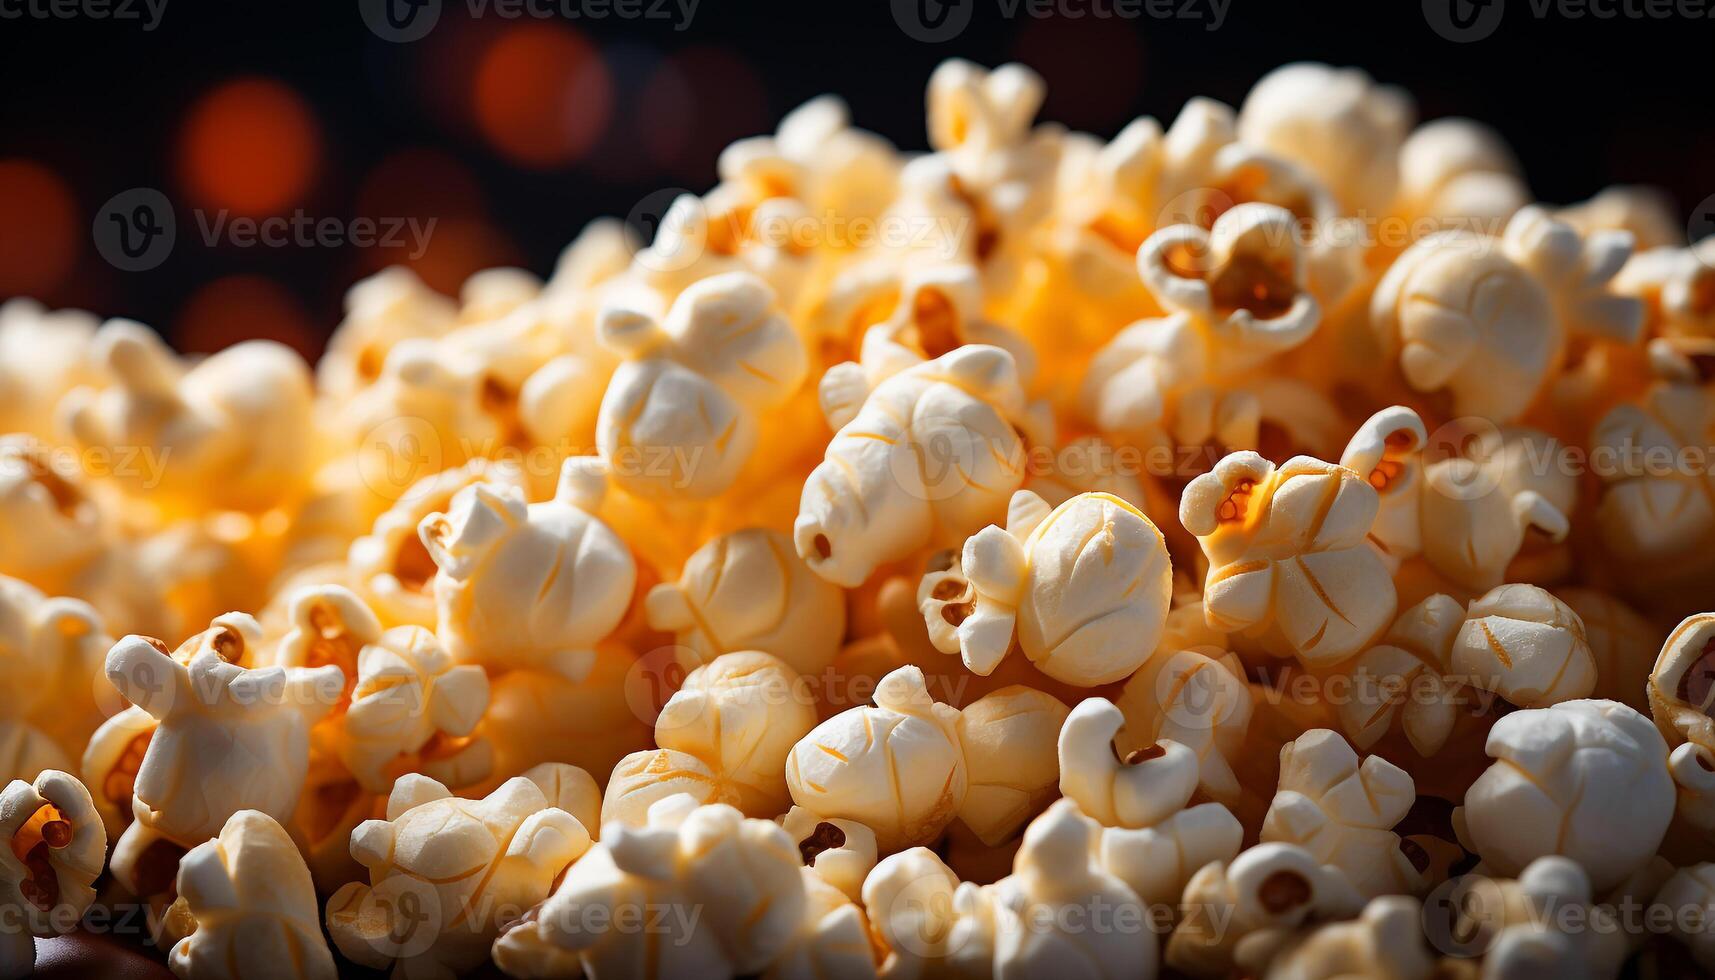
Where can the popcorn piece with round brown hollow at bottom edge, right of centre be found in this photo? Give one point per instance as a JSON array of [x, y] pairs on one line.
[[1265, 888]]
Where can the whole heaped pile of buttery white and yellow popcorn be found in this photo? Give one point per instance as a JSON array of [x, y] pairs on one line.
[[1261, 547]]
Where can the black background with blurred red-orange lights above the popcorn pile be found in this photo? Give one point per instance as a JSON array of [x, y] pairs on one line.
[[514, 133]]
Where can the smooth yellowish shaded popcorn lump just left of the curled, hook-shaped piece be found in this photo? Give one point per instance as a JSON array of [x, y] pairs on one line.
[[1009, 742]]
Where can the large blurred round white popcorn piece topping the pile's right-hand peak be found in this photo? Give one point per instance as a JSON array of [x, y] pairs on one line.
[[1339, 123]]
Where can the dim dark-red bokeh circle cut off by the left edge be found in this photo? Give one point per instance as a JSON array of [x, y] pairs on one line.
[[40, 229]]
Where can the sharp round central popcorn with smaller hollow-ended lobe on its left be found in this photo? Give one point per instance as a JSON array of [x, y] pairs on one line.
[[1081, 590]]
